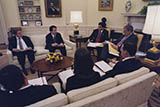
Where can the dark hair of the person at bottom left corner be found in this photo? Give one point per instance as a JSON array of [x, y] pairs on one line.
[[11, 78]]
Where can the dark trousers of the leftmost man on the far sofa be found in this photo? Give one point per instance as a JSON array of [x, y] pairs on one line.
[[22, 56]]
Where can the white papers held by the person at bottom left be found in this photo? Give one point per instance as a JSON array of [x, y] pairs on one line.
[[38, 81]]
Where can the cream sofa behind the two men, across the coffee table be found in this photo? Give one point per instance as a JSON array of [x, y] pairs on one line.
[[40, 51]]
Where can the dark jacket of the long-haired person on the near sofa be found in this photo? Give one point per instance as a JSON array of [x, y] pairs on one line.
[[77, 81]]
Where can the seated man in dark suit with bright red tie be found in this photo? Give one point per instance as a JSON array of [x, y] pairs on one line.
[[99, 35]]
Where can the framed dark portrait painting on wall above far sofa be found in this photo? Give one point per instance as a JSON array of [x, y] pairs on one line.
[[53, 8]]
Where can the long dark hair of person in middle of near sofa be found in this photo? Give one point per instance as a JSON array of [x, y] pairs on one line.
[[83, 63]]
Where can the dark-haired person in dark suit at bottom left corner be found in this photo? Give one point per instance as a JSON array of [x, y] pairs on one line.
[[15, 90]]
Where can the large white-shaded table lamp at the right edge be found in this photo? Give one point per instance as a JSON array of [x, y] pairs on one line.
[[152, 26]]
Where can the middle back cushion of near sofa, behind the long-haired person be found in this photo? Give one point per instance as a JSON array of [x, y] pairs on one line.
[[81, 93]]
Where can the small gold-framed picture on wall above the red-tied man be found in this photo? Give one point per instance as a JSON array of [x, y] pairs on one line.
[[105, 5]]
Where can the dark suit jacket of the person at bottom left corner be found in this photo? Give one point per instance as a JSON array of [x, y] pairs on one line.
[[26, 96]]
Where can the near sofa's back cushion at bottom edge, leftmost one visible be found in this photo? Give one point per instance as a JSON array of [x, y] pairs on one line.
[[54, 101]]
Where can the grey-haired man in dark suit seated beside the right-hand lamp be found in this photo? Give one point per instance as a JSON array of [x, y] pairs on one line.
[[127, 37]]
